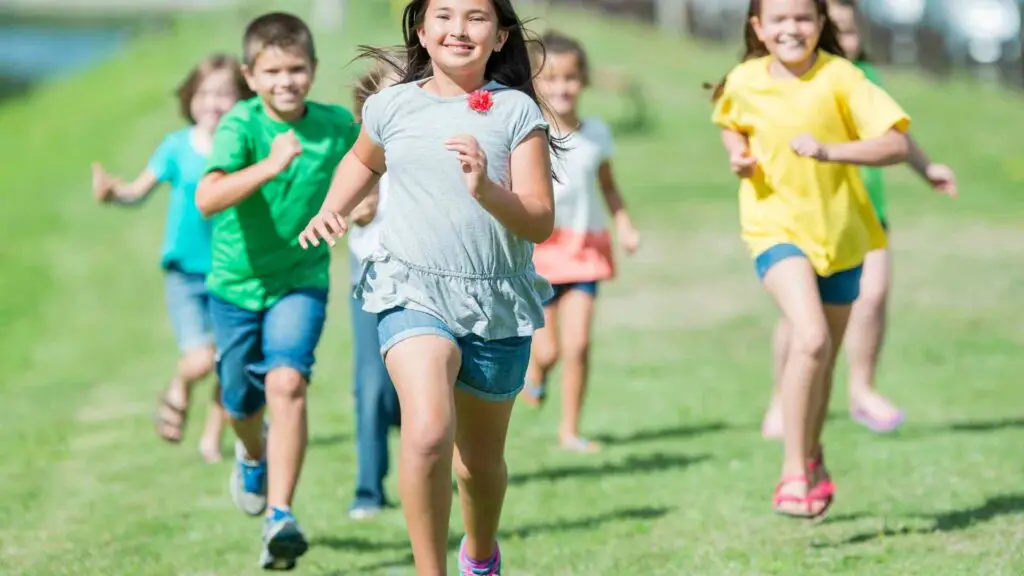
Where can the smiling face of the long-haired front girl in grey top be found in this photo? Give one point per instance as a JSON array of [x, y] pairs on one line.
[[461, 35]]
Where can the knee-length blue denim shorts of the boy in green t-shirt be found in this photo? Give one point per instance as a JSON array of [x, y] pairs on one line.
[[250, 345]]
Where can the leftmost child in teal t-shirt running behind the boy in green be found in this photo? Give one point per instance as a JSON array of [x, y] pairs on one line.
[[209, 92]]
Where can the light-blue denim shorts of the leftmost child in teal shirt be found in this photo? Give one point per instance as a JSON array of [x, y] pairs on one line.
[[189, 309]]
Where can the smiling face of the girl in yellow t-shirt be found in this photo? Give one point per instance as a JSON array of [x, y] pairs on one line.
[[790, 29]]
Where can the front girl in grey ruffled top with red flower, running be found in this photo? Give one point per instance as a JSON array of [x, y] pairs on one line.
[[466, 149]]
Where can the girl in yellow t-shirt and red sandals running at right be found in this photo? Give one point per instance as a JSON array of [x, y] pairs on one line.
[[797, 121]]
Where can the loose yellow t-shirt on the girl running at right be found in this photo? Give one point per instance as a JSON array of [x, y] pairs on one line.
[[822, 208]]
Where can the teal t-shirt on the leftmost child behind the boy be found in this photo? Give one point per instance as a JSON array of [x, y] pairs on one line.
[[187, 234]]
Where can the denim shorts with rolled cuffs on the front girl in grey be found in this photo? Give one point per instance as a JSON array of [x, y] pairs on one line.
[[493, 371]]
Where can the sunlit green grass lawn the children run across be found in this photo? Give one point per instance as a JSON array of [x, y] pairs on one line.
[[681, 361]]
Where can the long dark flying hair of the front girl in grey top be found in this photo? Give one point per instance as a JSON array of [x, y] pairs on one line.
[[510, 67]]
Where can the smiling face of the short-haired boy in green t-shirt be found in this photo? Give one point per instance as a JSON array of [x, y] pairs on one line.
[[283, 79]]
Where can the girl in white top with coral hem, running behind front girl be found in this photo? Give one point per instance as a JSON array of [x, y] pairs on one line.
[[579, 254]]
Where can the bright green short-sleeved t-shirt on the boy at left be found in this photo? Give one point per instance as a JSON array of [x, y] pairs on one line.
[[257, 256]]
